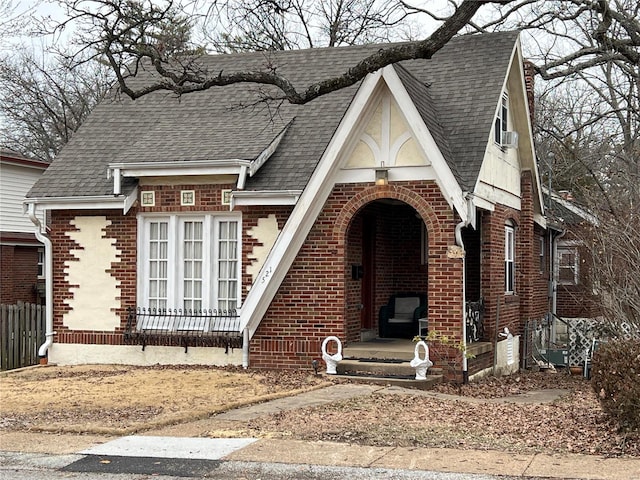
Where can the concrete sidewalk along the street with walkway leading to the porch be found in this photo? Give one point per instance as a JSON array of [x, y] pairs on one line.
[[171, 441]]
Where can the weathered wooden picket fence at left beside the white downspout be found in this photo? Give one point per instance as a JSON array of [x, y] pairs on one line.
[[22, 329]]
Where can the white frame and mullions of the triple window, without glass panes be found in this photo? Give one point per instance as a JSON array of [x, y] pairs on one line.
[[175, 258]]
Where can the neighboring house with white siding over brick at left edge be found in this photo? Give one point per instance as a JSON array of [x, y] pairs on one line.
[[22, 255]]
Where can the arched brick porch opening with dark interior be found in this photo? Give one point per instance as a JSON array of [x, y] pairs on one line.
[[369, 280]]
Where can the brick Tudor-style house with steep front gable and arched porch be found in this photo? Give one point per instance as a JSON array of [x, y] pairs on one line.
[[306, 219]]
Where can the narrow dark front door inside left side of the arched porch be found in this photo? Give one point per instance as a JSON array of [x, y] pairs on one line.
[[368, 272]]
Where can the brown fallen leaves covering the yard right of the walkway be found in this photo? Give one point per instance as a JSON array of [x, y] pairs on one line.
[[574, 423]]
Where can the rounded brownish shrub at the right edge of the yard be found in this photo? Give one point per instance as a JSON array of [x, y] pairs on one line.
[[615, 377]]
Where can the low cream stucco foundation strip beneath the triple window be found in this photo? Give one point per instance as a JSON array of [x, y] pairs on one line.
[[80, 354]]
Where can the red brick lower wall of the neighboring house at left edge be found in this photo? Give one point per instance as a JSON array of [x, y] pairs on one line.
[[19, 273]]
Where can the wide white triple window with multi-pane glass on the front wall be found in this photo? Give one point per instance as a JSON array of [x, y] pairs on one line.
[[189, 262]]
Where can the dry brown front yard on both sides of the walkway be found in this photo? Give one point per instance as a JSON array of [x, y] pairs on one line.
[[120, 400]]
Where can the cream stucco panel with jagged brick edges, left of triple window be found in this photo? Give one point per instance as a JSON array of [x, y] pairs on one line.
[[96, 294]]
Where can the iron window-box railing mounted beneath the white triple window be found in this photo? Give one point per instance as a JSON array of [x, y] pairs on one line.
[[199, 328]]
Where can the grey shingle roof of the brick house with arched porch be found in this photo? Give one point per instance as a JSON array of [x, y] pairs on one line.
[[456, 93]]
